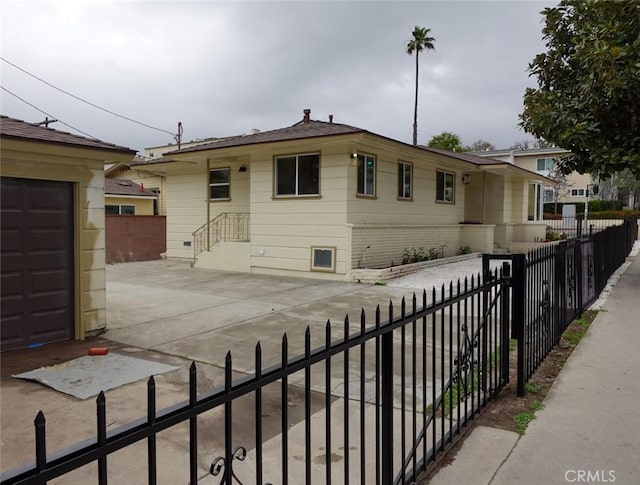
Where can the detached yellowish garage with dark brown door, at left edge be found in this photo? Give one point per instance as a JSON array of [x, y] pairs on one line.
[[53, 237]]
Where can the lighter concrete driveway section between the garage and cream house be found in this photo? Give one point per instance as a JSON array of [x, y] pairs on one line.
[[198, 314]]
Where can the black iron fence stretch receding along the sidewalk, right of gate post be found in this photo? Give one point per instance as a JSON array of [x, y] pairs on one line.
[[554, 285]]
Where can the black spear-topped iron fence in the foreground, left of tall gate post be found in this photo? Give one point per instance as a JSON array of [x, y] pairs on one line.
[[395, 396]]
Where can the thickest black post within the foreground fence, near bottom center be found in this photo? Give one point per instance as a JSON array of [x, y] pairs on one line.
[[387, 405]]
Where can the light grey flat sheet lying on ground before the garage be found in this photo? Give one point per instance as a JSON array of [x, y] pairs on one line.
[[86, 376]]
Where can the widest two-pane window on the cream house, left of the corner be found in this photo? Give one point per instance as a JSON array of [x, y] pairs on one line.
[[297, 175]]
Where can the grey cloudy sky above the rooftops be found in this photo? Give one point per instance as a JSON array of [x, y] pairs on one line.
[[225, 68]]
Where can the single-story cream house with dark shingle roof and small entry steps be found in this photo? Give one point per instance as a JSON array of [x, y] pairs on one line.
[[321, 199]]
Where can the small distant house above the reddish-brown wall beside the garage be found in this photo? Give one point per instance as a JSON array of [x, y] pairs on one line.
[[125, 197]]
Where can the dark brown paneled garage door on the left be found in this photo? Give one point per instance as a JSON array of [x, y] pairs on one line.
[[36, 262]]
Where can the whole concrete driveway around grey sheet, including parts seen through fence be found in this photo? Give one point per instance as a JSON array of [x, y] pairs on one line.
[[172, 313]]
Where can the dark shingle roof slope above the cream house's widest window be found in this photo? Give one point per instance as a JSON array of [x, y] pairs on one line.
[[311, 129]]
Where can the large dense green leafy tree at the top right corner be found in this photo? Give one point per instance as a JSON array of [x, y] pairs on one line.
[[588, 100]]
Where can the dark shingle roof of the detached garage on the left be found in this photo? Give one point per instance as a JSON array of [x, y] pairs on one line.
[[13, 128]]
